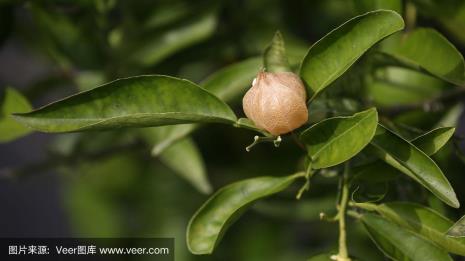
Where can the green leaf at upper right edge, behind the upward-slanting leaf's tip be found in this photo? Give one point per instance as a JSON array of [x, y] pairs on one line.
[[428, 50]]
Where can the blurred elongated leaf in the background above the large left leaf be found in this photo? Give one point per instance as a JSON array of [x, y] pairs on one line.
[[172, 40]]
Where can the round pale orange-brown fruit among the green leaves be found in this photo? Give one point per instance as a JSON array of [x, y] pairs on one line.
[[276, 102]]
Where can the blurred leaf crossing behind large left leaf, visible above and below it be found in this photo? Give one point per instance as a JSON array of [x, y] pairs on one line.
[[228, 84]]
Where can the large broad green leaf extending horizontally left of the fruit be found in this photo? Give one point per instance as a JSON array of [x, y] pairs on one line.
[[141, 101]]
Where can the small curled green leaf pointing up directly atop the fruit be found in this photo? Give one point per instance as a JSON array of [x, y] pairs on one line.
[[274, 58]]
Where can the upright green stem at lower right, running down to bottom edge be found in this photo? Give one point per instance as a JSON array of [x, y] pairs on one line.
[[343, 253]]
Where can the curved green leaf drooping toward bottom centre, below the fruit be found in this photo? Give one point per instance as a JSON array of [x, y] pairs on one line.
[[208, 224]]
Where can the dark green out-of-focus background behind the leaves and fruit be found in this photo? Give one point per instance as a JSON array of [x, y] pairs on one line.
[[106, 184]]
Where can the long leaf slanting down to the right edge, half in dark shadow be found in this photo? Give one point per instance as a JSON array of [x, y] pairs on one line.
[[407, 158]]
